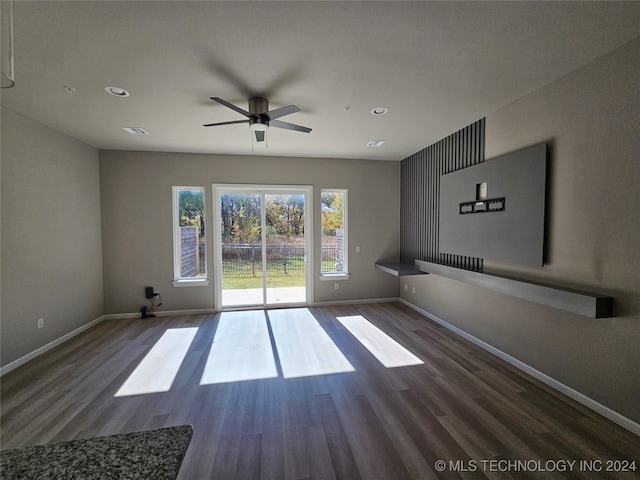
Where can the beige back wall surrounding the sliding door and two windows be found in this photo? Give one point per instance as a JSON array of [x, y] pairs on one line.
[[137, 220]]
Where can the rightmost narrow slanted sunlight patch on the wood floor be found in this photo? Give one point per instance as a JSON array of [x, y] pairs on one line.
[[389, 352]]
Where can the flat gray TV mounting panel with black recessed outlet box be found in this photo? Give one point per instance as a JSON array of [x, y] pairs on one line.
[[512, 235]]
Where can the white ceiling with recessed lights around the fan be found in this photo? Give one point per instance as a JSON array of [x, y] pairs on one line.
[[437, 67]]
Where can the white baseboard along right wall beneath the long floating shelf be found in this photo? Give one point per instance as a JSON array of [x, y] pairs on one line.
[[544, 378]]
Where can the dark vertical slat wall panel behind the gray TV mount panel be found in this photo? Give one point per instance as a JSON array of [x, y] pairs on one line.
[[420, 195]]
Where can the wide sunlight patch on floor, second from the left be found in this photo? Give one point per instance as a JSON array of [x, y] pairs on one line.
[[241, 349]]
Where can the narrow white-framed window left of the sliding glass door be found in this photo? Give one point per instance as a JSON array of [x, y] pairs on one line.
[[189, 245]]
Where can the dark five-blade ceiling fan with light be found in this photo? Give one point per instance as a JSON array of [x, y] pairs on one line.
[[259, 117]]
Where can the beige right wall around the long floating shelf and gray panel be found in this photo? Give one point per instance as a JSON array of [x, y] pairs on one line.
[[591, 119]]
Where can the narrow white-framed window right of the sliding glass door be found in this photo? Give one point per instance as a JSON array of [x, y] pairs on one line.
[[334, 232]]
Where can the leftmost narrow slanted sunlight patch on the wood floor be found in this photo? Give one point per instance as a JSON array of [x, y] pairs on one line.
[[158, 369]]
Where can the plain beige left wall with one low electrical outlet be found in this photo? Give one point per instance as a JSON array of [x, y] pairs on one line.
[[51, 238]]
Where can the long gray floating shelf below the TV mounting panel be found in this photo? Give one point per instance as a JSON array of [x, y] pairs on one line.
[[588, 304]]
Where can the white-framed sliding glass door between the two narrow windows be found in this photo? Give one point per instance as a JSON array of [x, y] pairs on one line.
[[262, 245]]
